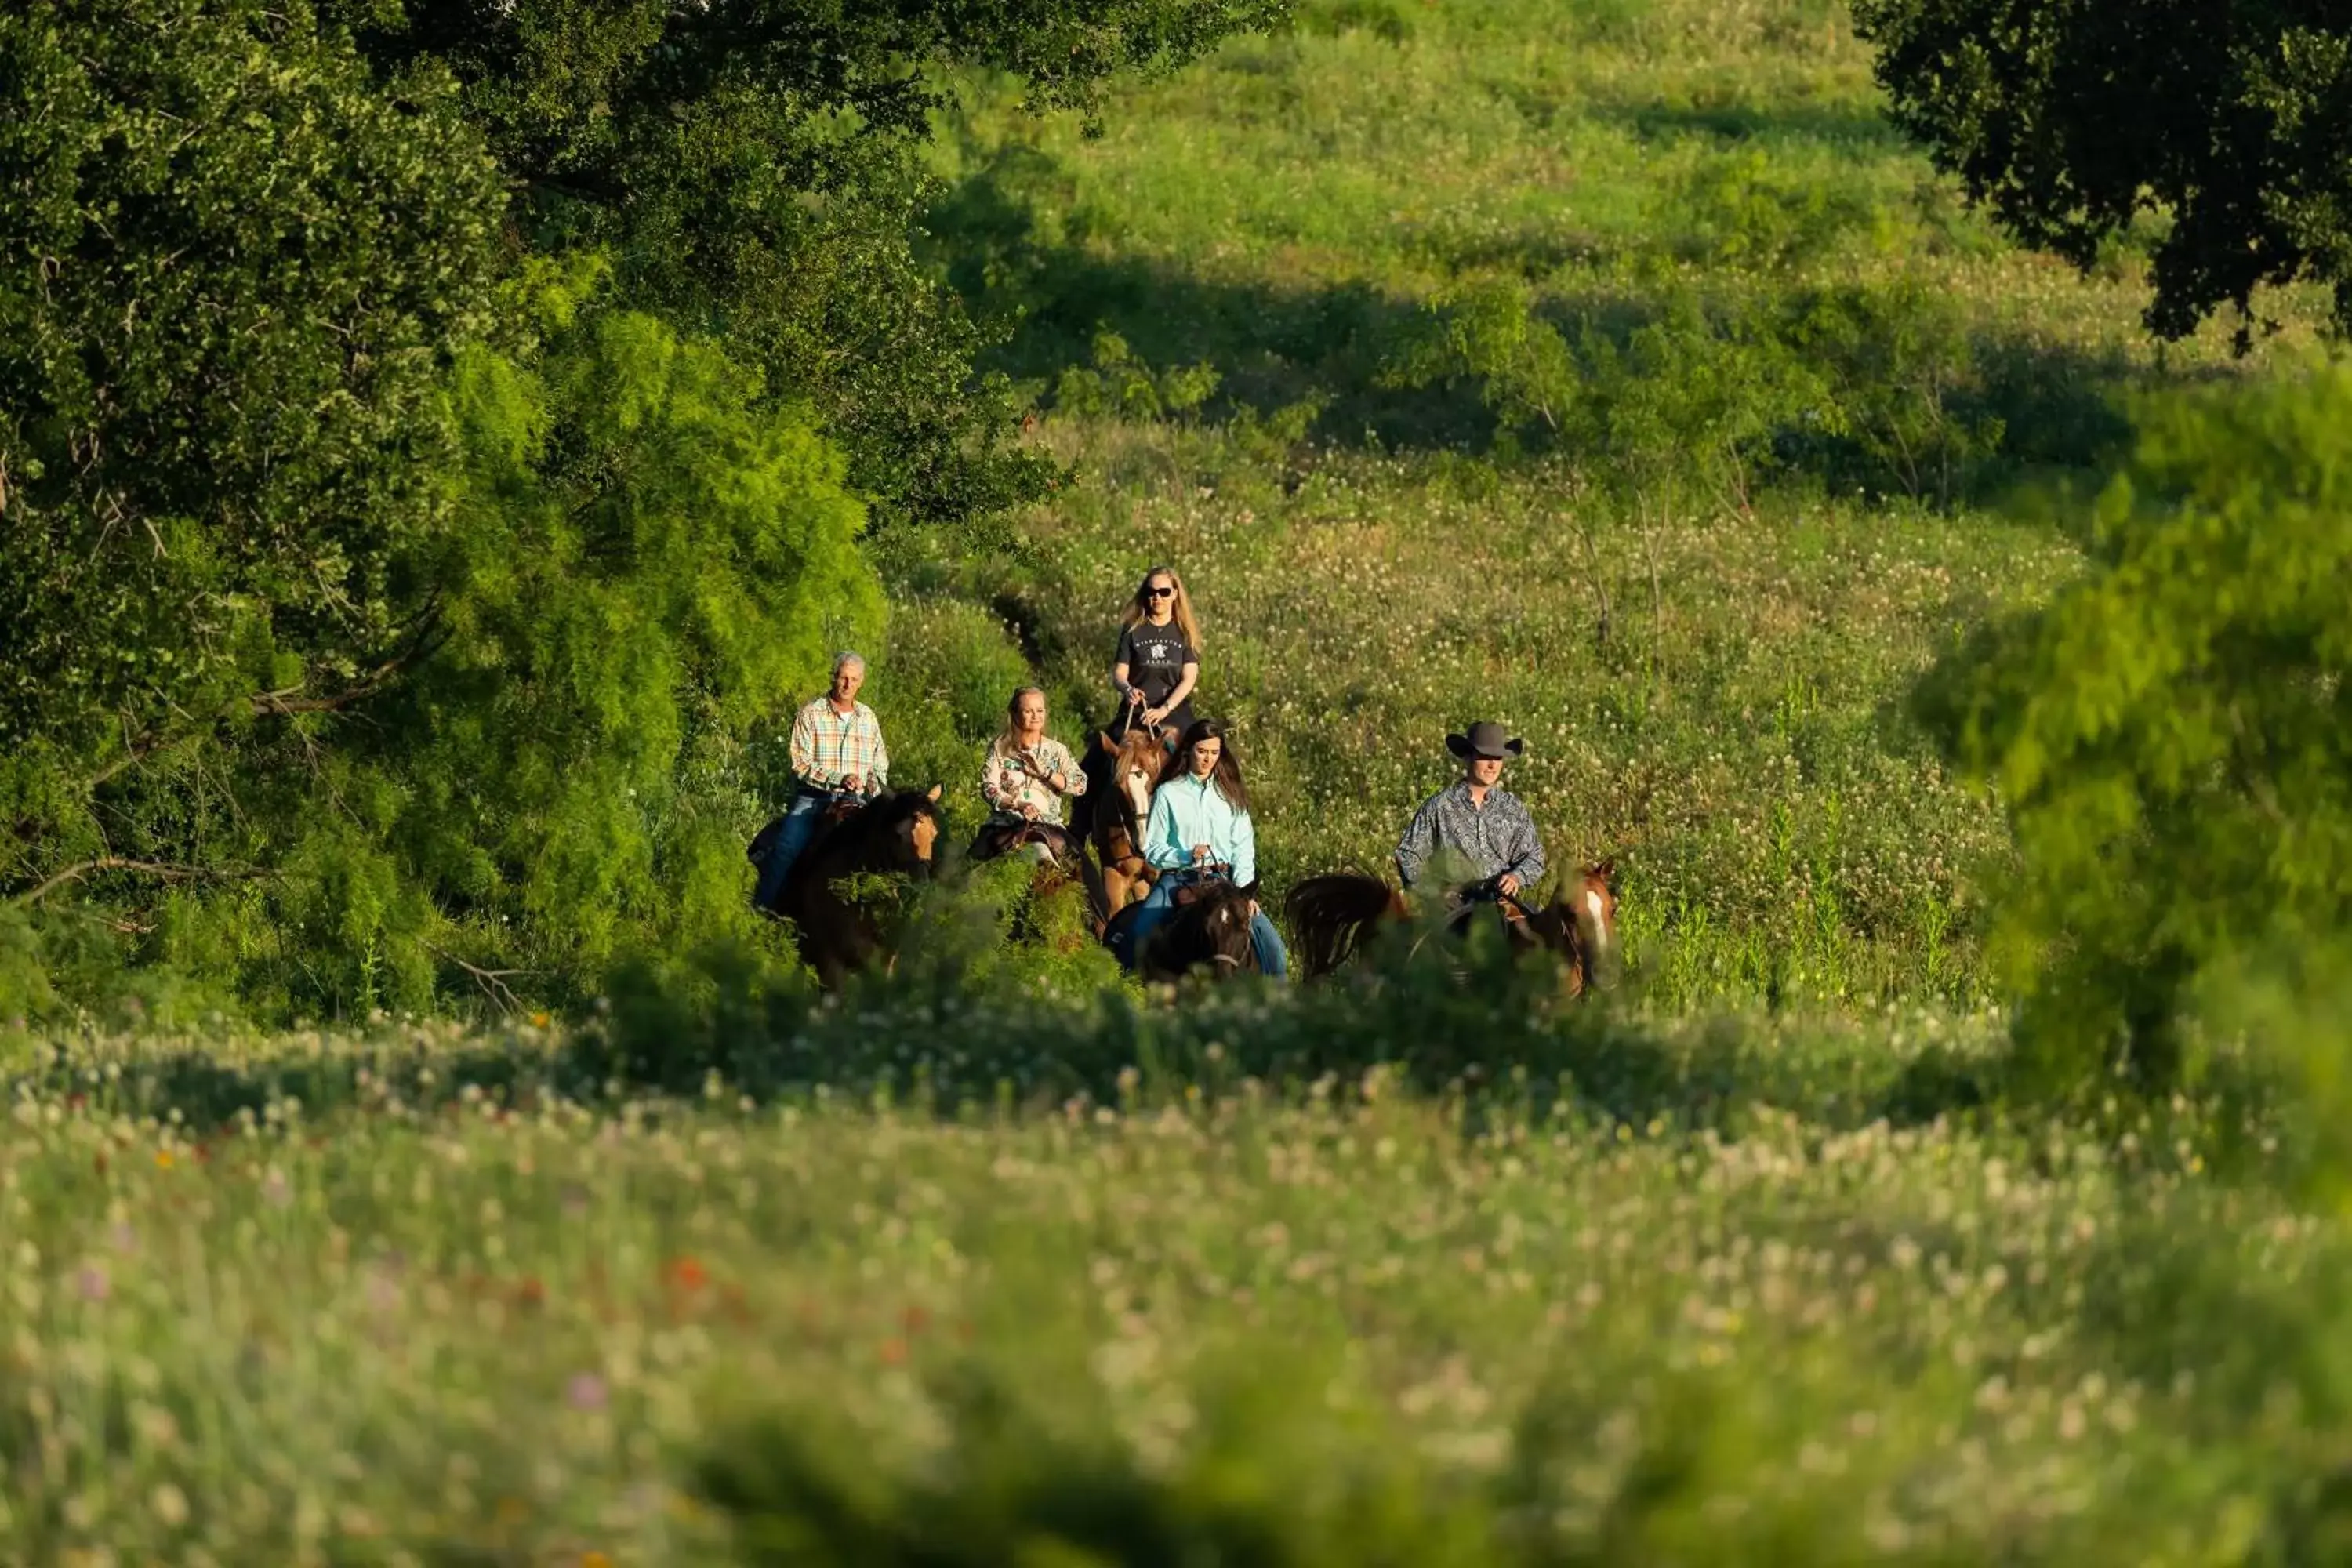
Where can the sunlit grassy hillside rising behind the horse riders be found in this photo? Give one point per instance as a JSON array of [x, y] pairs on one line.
[[1702, 601]]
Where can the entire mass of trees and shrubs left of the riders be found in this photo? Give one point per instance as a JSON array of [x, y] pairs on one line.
[[399, 570]]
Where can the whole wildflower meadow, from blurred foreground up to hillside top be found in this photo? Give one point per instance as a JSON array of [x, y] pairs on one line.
[[1603, 368]]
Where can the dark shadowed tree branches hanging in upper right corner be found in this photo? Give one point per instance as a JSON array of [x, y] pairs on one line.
[[2076, 116]]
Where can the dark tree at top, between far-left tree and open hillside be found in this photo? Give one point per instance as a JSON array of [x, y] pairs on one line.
[[754, 170]]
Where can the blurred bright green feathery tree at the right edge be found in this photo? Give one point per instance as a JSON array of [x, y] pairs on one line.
[[2172, 735]]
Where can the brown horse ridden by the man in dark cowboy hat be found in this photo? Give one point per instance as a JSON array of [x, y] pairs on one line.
[[1337, 913]]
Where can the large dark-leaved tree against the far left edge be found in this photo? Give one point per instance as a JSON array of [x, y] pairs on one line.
[[232, 269]]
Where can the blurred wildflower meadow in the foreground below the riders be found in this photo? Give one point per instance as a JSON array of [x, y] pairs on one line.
[[1278, 1278]]
